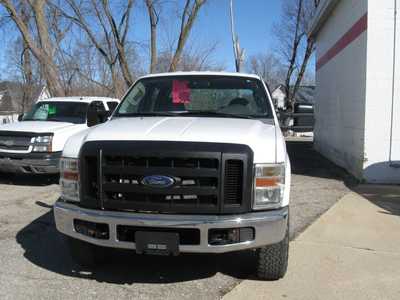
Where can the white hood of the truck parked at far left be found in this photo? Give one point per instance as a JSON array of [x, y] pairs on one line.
[[35, 126]]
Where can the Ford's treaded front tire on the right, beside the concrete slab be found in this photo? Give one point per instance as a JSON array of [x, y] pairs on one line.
[[272, 260]]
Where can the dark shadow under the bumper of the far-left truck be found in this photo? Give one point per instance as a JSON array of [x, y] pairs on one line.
[[28, 179]]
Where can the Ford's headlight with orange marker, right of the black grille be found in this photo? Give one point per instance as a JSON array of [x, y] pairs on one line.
[[269, 186]]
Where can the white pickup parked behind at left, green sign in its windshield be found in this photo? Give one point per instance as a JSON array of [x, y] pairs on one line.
[[34, 144]]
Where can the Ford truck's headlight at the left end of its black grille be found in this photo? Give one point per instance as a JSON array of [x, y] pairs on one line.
[[69, 179]]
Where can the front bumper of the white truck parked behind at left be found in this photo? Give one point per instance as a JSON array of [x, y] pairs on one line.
[[30, 163]]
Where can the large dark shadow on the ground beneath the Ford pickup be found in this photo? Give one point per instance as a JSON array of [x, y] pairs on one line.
[[45, 247]]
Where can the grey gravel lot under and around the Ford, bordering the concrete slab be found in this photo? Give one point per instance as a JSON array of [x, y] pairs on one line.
[[35, 264]]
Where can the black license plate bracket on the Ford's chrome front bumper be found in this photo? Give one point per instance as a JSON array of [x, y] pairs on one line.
[[157, 243]]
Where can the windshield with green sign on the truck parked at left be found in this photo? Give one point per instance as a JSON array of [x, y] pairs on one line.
[[71, 112]]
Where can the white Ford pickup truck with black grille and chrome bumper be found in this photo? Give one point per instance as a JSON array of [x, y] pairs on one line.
[[189, 163]]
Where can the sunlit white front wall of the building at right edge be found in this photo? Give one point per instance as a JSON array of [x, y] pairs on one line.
[[382, 132]]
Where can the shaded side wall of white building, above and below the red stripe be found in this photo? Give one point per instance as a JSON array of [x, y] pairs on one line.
[[341, 90]]
